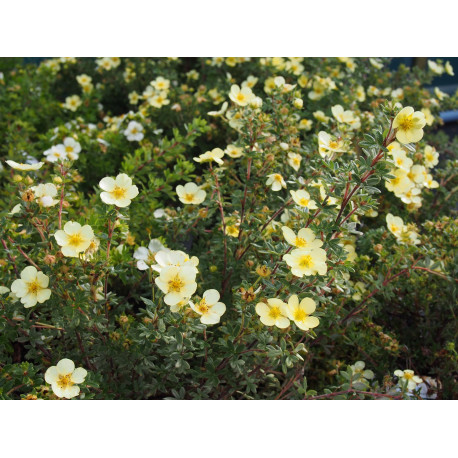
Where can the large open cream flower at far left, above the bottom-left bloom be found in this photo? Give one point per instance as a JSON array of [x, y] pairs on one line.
[[32, 287]]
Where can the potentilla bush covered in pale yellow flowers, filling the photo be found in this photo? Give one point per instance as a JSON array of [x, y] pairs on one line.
[[226, 228]]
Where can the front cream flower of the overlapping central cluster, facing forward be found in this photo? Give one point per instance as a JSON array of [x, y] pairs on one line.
[[177, 283]]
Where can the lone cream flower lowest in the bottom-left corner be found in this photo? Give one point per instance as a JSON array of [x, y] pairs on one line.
[[64, 378]]
